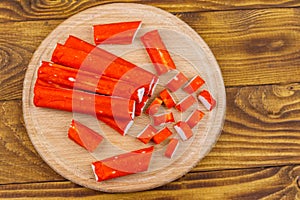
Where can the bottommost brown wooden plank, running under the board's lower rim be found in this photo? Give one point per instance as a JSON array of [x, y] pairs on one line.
[[258, 183]]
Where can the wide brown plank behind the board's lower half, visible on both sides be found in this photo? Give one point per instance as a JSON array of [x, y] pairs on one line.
[[260, 130]]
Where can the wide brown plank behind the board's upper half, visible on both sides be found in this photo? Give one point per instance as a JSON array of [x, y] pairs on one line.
[[252, 47]]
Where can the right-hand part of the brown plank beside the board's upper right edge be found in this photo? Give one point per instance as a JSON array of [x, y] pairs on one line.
[[254, 46]]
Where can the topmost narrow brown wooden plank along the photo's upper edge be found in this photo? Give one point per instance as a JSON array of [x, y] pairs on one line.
[[20, 10]]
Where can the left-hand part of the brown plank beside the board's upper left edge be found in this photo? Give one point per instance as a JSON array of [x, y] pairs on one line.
[[18, 41]]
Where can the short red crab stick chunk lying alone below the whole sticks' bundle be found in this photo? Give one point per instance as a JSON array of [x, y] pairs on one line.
[[84, 136]]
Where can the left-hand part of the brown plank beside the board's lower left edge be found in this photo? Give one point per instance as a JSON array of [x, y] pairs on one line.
[[19, 161]]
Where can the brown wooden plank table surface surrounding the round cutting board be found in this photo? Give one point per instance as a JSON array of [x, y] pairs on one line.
[[257, 45]]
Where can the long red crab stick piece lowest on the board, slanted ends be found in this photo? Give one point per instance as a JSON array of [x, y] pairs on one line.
[[122, 165]]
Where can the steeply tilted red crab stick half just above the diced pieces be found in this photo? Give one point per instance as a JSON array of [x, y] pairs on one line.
[[157, 52]]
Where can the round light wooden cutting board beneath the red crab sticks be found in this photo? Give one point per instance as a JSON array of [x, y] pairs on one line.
[[48, 128]]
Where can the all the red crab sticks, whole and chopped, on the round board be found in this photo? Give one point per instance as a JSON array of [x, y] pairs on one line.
[[84, 78]]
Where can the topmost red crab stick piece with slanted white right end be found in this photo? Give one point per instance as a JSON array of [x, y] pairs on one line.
[[116, 33]]
